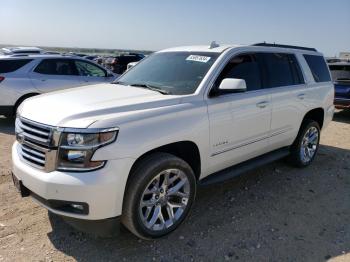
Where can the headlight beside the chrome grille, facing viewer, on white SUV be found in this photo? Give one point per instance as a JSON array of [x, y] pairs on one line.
[[76, 150]]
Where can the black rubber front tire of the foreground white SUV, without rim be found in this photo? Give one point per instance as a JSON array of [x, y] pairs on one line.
[[144, 172]]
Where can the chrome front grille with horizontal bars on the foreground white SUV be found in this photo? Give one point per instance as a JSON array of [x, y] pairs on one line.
[[37, 144]]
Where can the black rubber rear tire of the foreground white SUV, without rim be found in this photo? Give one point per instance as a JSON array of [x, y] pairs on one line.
[[296, 158]]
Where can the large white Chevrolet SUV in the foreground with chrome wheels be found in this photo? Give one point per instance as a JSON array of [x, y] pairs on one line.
[[137, 149]]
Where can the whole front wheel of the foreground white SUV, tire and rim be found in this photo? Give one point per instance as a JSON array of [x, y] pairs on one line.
[[158, 196]]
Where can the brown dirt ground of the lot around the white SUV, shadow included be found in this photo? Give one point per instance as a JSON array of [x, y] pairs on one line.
[[276, 213]]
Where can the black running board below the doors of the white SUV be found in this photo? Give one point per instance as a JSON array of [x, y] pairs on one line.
[[244, 167]]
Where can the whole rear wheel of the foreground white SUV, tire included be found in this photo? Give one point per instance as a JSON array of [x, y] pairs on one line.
[[305, 146]]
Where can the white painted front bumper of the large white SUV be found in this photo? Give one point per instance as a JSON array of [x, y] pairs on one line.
[[102, 190]]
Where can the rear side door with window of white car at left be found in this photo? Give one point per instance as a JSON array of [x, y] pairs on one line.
[[55, 74]]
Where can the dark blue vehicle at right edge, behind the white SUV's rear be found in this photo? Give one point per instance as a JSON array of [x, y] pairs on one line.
[[341, 77]]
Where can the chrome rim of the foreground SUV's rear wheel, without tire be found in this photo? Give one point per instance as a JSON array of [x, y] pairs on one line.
[[309, 144]]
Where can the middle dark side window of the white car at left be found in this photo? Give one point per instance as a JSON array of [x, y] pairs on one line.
[[56, 67]]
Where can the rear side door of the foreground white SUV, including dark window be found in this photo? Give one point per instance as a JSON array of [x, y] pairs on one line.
[[285, 82]]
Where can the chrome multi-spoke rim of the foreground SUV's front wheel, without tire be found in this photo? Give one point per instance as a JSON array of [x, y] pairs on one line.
[[164, 200]]
